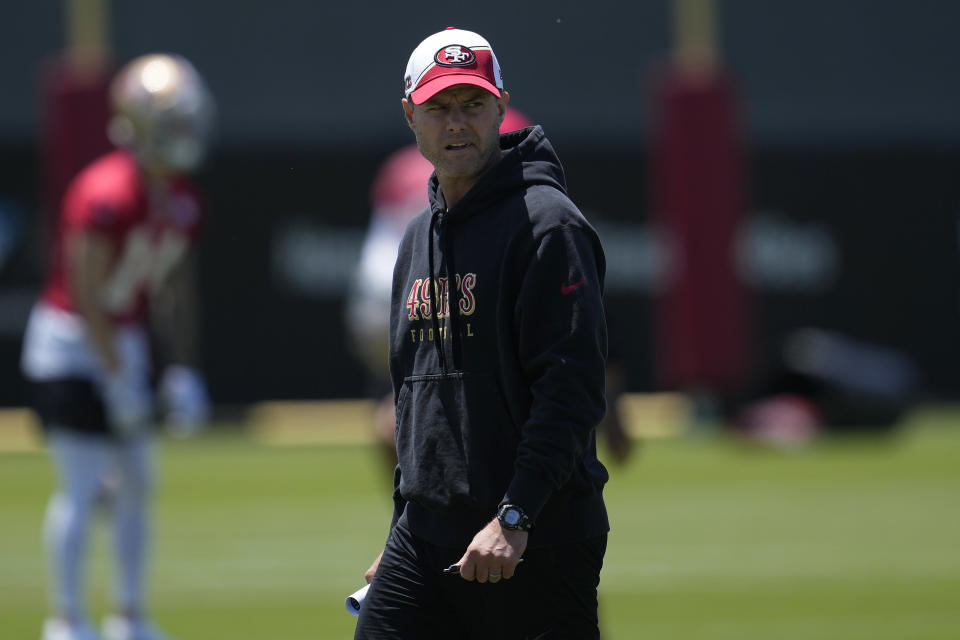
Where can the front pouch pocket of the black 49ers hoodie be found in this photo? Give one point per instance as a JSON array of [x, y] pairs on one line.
[[455, 441]]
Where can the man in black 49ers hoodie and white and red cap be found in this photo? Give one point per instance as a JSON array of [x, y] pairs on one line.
[[497, 347]]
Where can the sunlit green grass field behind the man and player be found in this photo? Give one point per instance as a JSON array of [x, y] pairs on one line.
[[848, 539]]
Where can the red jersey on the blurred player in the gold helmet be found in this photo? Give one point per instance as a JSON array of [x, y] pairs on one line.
[[151, 236]]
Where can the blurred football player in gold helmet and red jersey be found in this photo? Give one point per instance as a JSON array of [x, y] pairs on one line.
[[121, 274]]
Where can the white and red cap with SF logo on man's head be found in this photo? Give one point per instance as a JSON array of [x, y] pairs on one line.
[[452, 56]]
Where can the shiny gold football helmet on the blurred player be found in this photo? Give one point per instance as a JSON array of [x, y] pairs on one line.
[[163, 112]]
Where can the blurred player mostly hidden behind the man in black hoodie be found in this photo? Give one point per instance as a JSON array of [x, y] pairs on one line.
[[398, 194]]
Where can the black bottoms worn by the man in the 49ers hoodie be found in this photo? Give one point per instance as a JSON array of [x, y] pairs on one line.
[[552, 595]]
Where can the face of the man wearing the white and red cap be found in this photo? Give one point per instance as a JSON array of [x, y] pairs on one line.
[[458, 130]]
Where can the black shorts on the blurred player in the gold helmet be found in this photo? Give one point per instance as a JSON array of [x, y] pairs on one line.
[[73, 404]]
